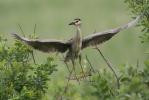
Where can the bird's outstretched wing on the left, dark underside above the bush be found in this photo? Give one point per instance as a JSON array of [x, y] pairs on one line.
[[47, 45]]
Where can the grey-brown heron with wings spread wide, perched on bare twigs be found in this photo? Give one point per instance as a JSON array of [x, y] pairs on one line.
[[75, 45]]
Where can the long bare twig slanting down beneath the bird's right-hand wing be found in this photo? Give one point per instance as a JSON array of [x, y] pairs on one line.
[[118, 83]]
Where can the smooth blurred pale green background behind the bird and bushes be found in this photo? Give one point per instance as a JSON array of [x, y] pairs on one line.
[[52, 18]]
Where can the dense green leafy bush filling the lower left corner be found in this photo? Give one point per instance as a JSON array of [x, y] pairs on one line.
[[20, 79]]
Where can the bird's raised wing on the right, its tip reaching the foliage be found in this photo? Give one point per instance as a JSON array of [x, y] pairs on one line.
[[103, 36]]
